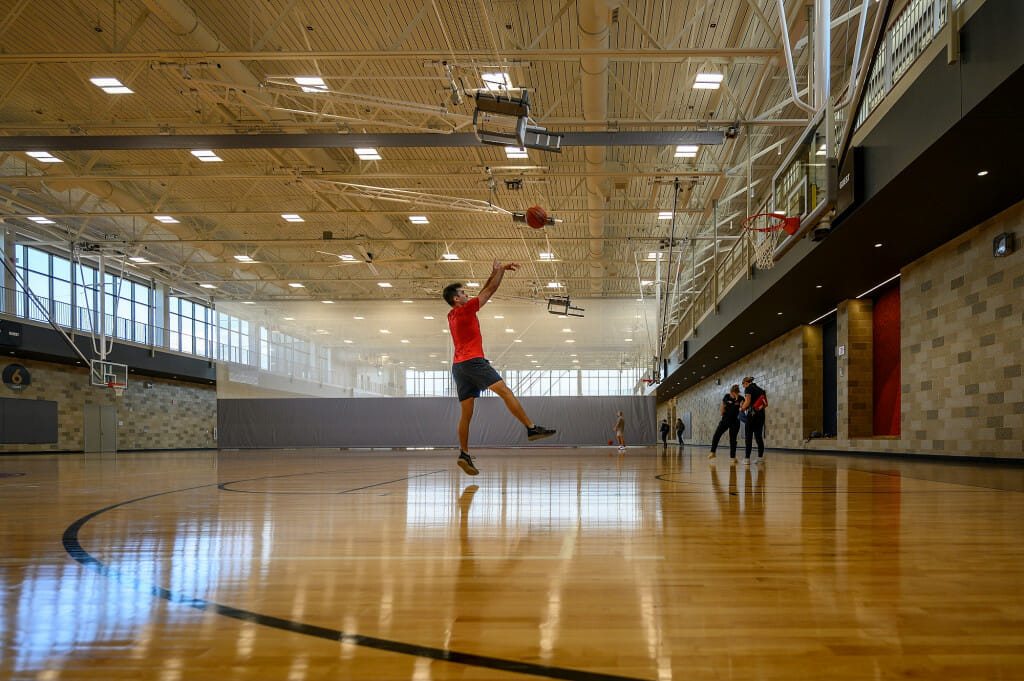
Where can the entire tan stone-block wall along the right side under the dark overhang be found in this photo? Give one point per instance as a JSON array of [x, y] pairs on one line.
[[962, 358]]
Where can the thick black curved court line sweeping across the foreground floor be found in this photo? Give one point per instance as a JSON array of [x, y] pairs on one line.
[[83, 558]]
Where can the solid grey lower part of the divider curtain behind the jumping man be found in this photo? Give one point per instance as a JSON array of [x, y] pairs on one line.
[[393, 422]]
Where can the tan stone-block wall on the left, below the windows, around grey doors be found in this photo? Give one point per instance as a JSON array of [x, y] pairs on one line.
[[172, 415]]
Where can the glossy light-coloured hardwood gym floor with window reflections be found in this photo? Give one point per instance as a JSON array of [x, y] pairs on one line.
[[574, 564]]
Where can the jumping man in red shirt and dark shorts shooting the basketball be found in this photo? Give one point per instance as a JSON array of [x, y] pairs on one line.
[[472, 370]]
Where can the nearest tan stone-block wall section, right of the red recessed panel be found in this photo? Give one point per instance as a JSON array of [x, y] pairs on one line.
[[963, 315]]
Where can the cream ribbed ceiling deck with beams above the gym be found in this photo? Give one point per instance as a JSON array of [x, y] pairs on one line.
[[227, 68]]
